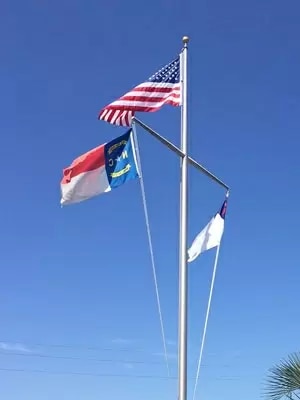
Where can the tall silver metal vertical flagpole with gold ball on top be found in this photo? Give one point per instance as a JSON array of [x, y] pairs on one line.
[[183, 273]]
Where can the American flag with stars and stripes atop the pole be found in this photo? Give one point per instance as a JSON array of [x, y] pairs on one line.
[[161, 88]]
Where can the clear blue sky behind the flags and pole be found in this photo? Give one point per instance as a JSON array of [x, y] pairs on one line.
[[81, 276]]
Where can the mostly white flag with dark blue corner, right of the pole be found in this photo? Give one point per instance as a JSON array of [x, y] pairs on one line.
[[210, 236]]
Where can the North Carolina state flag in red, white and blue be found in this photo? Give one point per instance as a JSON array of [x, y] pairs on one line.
[[100, 170]]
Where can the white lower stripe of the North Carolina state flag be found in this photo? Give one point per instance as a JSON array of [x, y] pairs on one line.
[[85, 185]]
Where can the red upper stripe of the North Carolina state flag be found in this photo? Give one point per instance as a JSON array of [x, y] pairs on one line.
[[88, 161]]
